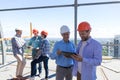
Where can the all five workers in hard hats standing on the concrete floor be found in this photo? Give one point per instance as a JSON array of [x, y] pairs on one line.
[[80, 61]]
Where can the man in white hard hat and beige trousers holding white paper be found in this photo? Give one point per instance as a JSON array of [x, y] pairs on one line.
[[18, 52]]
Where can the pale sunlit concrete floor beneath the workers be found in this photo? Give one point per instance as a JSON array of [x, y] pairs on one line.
[[109, 70]]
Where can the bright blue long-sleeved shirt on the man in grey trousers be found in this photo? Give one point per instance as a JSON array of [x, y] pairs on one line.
[[61, 60]]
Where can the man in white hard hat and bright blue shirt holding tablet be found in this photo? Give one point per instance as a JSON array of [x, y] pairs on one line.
[[64, 63]]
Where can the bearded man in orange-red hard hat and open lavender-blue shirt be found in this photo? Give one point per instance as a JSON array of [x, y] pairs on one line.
[[89, 54]]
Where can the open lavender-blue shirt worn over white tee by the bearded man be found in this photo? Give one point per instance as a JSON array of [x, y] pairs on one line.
[[92, 57]]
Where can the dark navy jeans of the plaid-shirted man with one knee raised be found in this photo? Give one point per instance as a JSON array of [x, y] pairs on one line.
[[40, 59]]
